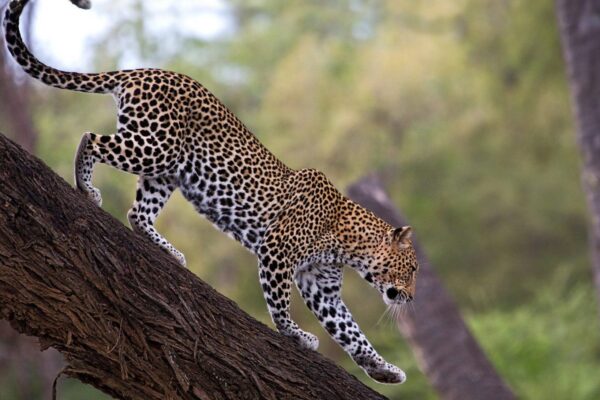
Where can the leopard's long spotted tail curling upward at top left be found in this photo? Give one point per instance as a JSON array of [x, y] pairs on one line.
[[91, 83]]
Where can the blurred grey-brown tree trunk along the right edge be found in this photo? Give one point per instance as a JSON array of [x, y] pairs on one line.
[[579, 22]]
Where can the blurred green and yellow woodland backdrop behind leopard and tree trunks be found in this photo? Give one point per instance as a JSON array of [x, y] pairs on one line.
[[462, 107]]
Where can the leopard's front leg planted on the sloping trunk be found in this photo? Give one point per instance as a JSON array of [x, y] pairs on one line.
[[276, 281]]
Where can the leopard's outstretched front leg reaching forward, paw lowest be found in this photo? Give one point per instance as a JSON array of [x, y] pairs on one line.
[[321, 289]]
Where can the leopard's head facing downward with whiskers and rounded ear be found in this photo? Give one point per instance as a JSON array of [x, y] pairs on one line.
[[393, 267]]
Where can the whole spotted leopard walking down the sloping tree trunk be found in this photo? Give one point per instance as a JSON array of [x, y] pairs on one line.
[[176, 135]]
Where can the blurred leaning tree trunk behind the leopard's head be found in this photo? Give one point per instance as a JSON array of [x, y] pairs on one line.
[[449, 355]]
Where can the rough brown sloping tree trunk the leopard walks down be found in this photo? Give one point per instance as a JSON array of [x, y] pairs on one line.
[[128, 319]]
